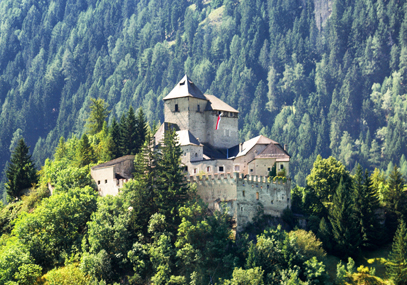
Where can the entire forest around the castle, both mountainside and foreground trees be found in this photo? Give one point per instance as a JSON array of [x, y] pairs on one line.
[[82, 82]]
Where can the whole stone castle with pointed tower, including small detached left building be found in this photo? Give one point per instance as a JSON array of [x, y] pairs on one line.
[[223, 169]]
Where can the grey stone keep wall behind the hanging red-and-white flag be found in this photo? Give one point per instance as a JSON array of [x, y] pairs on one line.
[[227, 135]]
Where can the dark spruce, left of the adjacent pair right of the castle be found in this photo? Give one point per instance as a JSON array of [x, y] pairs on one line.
[[345, 230]]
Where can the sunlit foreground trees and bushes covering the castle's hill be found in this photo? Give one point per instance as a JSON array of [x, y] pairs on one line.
[[157, 230]]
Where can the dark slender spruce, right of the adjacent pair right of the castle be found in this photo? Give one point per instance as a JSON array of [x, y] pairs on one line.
[[366, 204]]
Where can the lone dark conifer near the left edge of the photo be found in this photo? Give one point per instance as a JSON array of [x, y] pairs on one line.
[[21, 173]]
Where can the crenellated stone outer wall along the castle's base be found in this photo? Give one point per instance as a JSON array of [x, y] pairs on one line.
[[243, 195]]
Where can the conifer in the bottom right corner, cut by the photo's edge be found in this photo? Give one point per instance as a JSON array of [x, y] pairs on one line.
[[397, 261]]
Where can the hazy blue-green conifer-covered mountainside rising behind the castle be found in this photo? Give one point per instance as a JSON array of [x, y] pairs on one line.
[[336, 88]]
